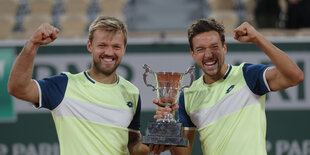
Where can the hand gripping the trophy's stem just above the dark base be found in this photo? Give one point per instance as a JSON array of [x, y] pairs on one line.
[[162, 111]]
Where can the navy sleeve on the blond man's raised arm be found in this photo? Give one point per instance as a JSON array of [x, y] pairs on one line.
[[52, 90]]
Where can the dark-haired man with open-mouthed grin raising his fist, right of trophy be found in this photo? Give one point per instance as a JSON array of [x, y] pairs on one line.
[[226, 105]]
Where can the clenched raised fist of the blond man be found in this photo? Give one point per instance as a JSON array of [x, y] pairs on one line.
[[45, 34]]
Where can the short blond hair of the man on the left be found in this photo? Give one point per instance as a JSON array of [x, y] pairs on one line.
[[109, 24]]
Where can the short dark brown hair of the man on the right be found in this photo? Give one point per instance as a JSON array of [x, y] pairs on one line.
[[205, 25]]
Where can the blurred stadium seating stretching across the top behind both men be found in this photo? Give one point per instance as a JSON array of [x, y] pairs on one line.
[[19, 18]]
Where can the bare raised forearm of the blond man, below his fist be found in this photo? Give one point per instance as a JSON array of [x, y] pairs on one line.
[[21, 72]]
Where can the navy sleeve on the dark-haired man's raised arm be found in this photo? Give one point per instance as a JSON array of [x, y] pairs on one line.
[[254, 75]]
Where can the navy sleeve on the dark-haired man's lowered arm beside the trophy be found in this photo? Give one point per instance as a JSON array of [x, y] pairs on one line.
[[182, 115]]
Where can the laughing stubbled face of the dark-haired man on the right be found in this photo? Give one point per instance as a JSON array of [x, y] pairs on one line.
[[209, 53]]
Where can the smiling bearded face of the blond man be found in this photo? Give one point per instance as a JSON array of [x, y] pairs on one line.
[[107, 49]]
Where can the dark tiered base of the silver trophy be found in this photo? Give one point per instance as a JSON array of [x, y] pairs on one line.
[[165, 133]]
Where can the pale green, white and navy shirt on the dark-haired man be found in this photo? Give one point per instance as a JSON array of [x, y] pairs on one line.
[[230, 113]]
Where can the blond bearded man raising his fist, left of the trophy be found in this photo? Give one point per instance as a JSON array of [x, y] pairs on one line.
[[95, 111]]
